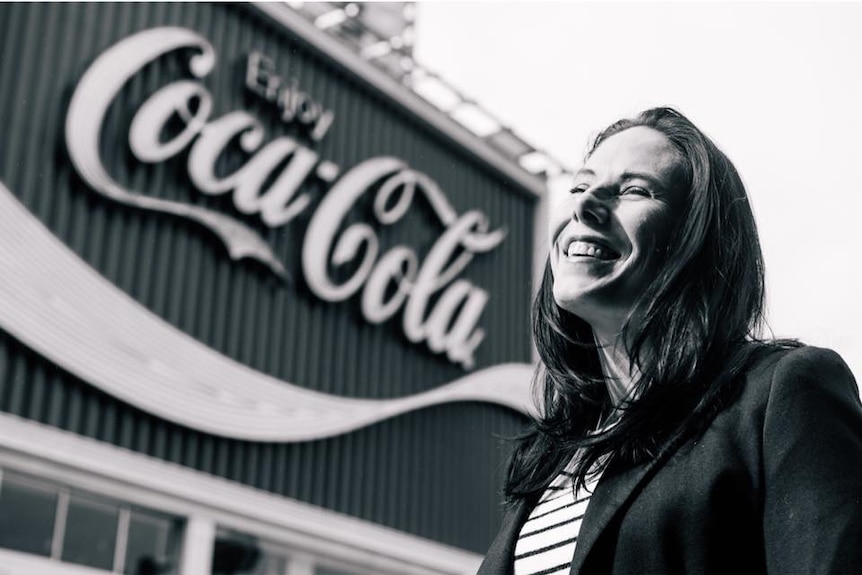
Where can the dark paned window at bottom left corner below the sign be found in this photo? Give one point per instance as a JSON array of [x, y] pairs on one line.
[[82, 528]]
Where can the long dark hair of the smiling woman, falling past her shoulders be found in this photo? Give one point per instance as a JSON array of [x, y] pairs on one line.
[[690, 339]]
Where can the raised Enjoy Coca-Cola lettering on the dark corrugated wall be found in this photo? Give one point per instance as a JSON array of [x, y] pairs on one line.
[[438, 308]]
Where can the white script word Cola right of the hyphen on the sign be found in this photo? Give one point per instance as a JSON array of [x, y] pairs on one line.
[[450, 326]]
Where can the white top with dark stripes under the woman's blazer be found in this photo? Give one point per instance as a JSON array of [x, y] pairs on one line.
[[546, 544]]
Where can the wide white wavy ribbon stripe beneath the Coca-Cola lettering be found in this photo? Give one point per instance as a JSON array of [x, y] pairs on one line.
[[60, 307]]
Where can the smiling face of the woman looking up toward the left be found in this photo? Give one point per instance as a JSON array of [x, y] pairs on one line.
[[607, 231]]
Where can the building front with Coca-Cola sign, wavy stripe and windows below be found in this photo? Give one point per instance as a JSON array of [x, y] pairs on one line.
[[262, 309]]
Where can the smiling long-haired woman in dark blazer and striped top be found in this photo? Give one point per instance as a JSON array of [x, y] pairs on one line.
[[672, 440]]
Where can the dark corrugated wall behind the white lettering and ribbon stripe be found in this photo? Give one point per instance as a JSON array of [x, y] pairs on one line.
[[432, 473]]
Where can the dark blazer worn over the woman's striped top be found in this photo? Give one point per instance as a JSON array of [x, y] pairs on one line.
[[773, 485]]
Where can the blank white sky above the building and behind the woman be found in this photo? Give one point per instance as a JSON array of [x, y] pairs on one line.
[[778, 86]]
